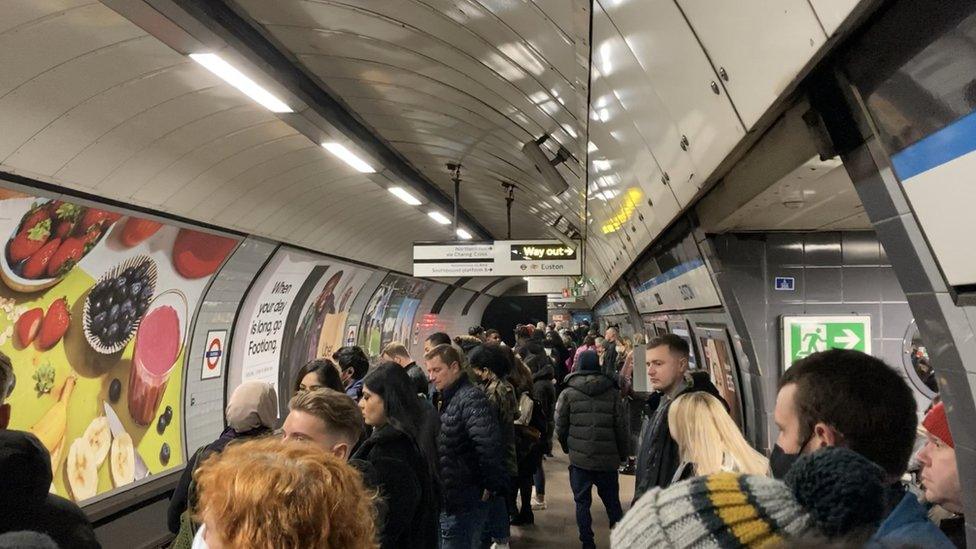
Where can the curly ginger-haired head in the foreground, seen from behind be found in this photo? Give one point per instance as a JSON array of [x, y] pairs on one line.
[[269, 493]]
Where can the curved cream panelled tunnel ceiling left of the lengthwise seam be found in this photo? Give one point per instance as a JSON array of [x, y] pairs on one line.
[[92, 102]]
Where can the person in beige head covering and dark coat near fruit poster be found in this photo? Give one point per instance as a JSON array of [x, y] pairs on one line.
[[251, 413]]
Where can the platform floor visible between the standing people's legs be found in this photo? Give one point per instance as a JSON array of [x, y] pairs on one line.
[[556, 525]]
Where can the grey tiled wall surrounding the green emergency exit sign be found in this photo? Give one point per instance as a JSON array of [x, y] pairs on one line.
[[835, 272]]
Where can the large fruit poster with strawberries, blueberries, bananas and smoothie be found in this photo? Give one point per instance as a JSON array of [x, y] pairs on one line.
[[95, 308]]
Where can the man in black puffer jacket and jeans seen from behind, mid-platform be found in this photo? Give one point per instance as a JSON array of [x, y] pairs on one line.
[[591, 428]]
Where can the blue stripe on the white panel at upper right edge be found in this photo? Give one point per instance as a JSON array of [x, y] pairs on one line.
[[947, 144]]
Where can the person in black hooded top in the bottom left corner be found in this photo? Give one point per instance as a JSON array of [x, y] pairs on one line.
[[26, 504]]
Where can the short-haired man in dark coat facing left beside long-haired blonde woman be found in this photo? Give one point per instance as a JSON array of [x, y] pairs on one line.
[[667, 368]]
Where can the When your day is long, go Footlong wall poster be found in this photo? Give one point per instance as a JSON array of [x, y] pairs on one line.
[[295, 312]]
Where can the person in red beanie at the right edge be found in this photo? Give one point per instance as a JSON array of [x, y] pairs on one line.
[[940, 475]]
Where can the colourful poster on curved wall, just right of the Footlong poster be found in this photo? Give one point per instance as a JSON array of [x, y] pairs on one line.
[[390, 311]]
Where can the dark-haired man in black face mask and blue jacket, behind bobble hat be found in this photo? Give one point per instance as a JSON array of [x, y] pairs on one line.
[[851, 399]]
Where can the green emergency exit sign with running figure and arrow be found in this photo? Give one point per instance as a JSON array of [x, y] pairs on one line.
[[805, 335]]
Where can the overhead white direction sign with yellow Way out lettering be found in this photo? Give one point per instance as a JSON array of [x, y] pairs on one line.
[[498, 258]]
